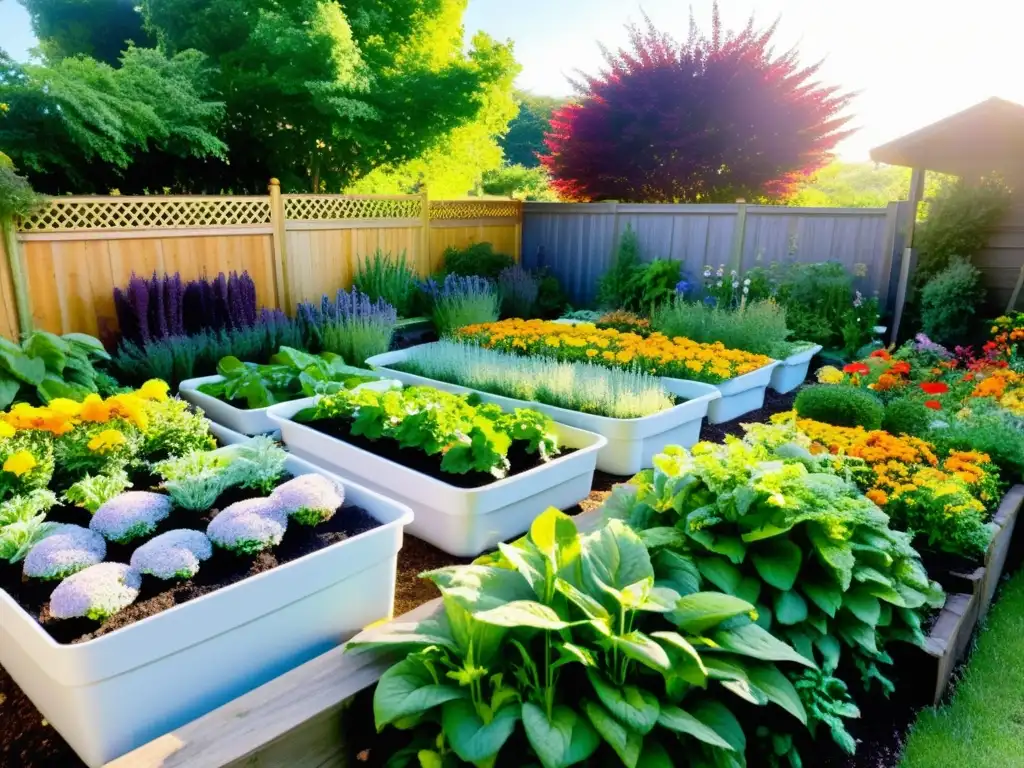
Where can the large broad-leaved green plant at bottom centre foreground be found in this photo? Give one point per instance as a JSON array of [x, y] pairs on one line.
[[591, 647]]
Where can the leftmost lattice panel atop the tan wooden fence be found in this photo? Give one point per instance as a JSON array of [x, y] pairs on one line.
[[147, 214]]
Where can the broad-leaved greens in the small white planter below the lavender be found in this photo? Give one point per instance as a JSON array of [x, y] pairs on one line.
[[290, 375]]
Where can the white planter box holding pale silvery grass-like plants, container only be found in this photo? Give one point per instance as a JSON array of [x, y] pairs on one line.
[[631, 443]]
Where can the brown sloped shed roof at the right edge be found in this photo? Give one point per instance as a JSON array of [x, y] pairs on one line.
[[986, 139]]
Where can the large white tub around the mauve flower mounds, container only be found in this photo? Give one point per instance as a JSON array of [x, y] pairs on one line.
[[112, 695]]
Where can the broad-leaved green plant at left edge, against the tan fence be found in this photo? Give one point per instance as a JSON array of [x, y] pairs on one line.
[[45, 367]]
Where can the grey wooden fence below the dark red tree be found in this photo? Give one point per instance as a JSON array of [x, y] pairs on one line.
[[578, 242]]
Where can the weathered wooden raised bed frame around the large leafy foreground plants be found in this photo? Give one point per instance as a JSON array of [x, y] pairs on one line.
[[297, 720]]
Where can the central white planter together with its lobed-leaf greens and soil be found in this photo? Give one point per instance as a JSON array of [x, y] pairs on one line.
[[474, 475]]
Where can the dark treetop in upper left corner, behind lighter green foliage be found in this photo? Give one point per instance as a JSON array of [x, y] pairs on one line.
[[101, 29]]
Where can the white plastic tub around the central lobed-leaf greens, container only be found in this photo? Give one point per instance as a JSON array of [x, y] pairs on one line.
[[461, 522]]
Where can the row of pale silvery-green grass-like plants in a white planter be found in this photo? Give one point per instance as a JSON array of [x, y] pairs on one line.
[[583, 388]]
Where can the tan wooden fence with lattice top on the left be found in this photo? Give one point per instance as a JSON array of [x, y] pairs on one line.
[[75, 251]]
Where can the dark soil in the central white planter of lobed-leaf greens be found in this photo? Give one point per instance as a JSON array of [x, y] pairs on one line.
[[418, 461]]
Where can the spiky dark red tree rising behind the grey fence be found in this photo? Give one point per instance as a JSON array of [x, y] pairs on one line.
[[705, 120]]
